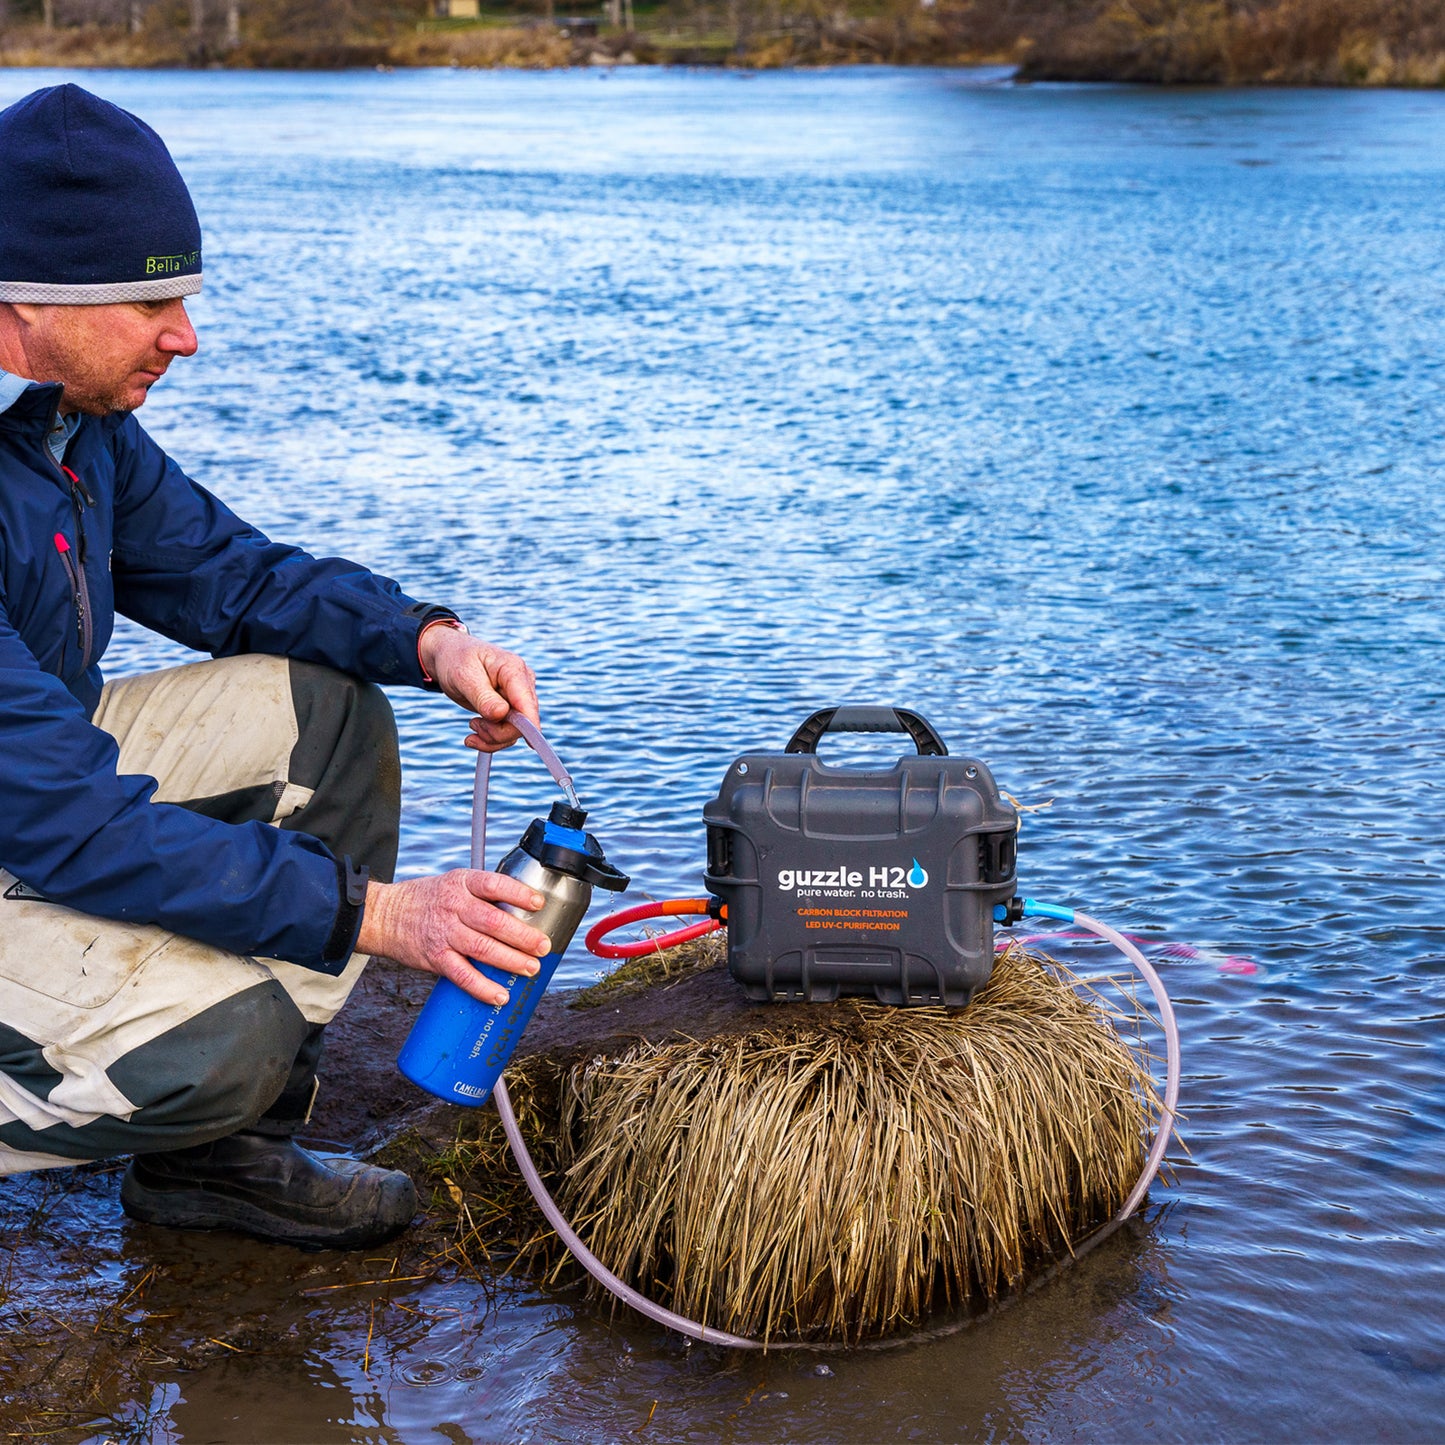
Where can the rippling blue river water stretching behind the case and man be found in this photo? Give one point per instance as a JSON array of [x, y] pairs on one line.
[[1097, 424]]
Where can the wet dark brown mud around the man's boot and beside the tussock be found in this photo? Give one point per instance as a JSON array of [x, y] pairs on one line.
[[99, 1313]]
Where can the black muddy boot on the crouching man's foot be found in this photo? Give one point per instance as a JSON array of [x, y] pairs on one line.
[[269, 1189]]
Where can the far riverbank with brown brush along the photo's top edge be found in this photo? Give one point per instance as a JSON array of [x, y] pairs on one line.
[[1171, 43]]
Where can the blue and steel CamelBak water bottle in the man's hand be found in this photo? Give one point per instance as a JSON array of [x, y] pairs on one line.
[[459, 1045]]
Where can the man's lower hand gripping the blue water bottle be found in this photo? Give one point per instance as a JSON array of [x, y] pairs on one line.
[[440, 924]]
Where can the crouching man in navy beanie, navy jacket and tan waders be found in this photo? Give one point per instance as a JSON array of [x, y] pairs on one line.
[[196, 865]]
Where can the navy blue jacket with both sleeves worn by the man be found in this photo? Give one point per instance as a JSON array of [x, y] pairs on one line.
[[132, 534]]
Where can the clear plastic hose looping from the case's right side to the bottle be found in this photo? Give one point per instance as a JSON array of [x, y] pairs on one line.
[[720, 1337]]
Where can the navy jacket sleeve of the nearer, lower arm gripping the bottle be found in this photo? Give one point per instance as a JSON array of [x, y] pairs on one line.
[[83, 834]]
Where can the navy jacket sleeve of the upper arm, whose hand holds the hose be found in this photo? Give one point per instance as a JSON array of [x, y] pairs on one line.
[[187, 567]]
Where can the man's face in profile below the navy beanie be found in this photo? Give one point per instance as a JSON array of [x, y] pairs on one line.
[[106, 358]]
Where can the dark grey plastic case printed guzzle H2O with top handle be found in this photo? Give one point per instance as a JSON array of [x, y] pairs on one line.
[[842, 881]]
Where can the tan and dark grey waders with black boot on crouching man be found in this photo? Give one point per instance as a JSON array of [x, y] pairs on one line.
[[125, 1040]]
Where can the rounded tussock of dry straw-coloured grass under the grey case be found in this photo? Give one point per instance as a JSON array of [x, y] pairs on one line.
[[845, 1176]]
